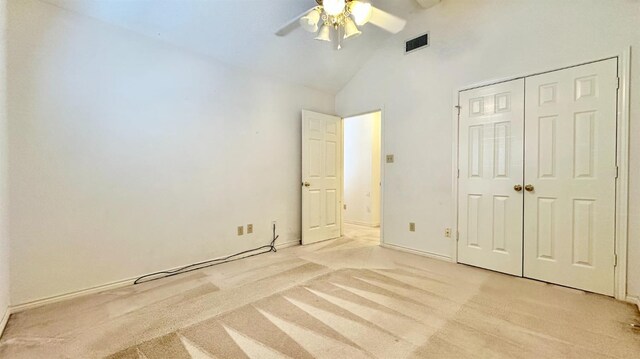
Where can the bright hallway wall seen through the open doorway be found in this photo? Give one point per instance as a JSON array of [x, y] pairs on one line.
[[362, 169]]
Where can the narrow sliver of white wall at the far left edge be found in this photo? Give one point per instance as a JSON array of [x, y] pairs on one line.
[[4, 239]]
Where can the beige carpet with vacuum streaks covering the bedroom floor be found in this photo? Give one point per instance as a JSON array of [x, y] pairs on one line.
[[346, 298]]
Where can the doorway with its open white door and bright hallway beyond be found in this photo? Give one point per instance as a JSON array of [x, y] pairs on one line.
[[326, 212]]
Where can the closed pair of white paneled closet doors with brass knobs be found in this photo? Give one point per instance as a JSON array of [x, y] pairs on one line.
[[537, 176]]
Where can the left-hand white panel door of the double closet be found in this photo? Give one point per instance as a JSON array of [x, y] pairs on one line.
[[490, 203]]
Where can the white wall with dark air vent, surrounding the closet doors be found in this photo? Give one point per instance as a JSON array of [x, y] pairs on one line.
[[474, 41]]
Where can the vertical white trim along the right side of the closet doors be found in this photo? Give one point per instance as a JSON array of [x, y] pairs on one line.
[[622, 182]]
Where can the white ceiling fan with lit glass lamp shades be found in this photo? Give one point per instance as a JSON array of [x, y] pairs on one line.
[[338, 20]]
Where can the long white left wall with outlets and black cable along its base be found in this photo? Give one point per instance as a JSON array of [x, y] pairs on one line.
[[128, 155]]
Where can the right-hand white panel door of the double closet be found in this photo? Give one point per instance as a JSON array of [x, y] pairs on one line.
[[570, 163]]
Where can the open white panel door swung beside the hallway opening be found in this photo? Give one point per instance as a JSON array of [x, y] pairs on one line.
[[321, 177]]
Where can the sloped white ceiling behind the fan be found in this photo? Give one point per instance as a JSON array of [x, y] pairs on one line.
[[241, 33]]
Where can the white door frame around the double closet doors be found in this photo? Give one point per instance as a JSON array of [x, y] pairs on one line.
[[622, 150]]
